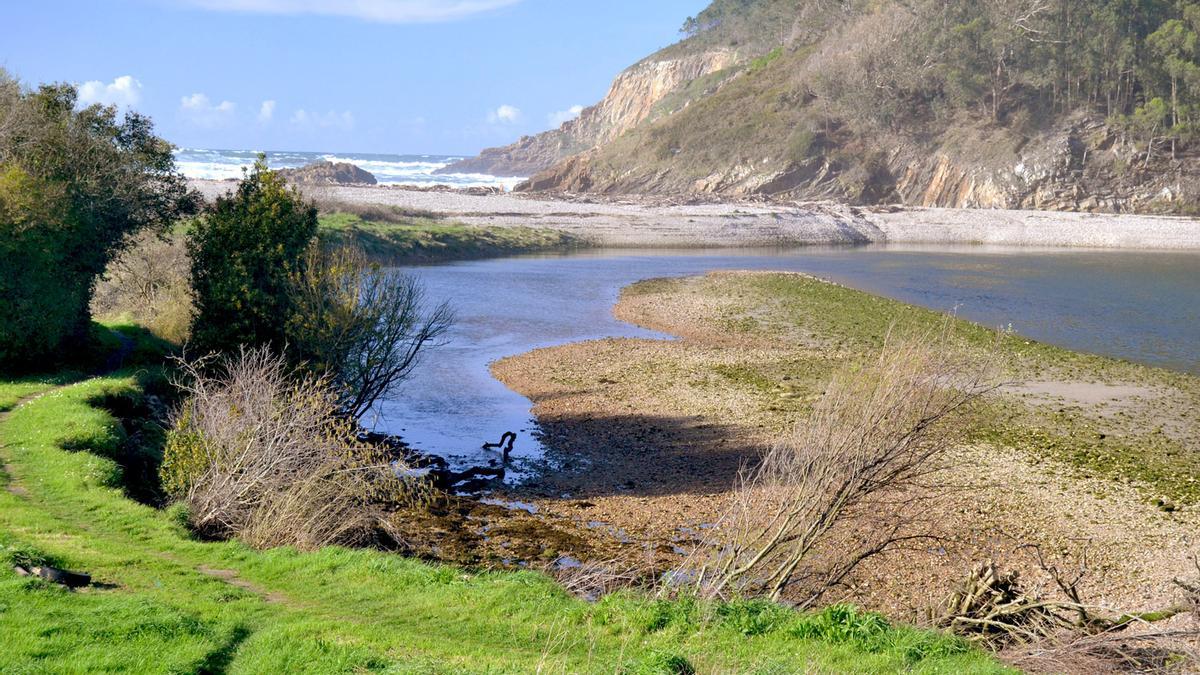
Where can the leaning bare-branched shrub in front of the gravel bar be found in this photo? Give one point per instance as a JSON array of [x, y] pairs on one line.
[[847, 485]]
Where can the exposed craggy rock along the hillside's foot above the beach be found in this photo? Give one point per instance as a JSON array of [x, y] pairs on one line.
[[1084, 166]]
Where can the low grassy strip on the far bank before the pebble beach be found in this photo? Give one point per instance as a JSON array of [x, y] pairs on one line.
[[424, 240]]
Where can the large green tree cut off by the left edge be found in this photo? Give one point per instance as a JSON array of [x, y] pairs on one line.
[[76, 186]]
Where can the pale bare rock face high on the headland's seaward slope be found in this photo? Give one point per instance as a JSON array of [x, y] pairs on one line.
[[634, 95]]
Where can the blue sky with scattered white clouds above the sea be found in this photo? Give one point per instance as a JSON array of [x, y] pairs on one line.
[[353, 76]]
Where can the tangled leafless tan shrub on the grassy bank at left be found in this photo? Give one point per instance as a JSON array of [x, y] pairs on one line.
[[265, 456]]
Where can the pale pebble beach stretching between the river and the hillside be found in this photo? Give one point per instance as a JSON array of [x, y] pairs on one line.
[[661, 223]]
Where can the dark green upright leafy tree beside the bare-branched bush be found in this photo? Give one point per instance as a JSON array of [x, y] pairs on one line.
[[245, 253]]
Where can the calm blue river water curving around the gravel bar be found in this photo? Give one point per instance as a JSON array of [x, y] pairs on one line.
[[1138, 306]]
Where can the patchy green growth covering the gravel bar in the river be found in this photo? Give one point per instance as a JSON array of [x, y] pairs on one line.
[[1130, 446]]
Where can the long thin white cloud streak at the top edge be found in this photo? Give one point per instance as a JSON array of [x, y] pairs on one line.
[[386, 11]]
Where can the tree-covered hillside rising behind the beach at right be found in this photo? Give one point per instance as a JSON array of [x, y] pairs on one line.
[[1013, 104]]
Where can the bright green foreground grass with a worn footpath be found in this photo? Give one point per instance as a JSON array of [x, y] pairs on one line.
[[167, 602]]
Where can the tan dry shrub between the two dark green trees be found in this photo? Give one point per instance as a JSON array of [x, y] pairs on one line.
[[151, 284]]
